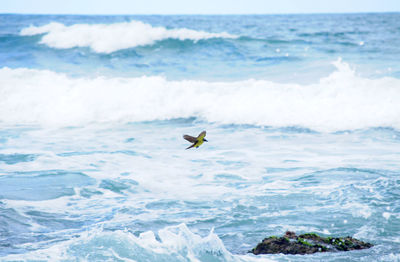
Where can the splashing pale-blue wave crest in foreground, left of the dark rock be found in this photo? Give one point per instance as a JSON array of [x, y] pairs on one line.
[[175, 243]]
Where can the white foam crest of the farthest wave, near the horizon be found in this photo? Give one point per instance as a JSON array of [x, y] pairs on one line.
[[103, 38]]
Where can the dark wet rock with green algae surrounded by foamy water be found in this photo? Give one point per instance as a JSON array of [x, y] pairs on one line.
[[308, 243]]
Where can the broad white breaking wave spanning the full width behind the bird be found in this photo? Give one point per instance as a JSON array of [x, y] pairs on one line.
[[340, 101]]
